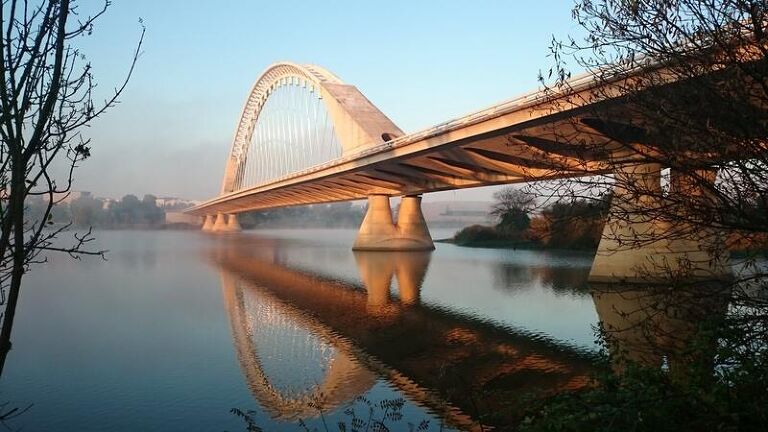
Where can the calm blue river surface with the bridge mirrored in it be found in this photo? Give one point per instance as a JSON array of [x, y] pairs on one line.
[[177, 328]]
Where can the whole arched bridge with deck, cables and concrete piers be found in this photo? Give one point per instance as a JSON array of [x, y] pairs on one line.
[[306, 137]]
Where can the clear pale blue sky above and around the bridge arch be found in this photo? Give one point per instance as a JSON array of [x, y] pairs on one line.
[[419, 62]]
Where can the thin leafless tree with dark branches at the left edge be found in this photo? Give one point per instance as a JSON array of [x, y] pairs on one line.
[[46, 99]]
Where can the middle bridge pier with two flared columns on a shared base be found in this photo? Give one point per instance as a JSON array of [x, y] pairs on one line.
[[379, 233]]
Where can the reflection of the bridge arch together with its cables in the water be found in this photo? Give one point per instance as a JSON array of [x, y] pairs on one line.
[[257, 316]]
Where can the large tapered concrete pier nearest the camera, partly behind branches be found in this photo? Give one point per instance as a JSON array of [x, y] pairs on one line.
[[640, 244]]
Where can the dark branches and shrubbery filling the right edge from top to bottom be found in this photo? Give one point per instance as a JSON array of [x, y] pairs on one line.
[[679, 92]]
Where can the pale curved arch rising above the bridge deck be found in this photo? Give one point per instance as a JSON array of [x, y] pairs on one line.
[[357, 123]]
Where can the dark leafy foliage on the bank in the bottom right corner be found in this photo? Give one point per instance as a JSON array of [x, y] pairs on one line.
[[732, 397]]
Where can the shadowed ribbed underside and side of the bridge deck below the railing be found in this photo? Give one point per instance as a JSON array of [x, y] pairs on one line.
[[473, 156]]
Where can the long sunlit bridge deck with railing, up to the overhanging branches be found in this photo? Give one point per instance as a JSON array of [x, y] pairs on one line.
[[517, 141]]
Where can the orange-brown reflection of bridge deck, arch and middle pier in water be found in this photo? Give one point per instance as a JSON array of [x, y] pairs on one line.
[[453, 364]]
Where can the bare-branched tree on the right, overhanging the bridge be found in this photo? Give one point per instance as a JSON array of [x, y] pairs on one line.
[[673, 119]]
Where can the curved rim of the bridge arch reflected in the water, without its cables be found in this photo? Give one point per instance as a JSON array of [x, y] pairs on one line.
[[344, 380]]
